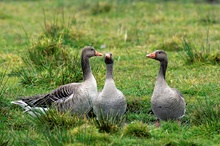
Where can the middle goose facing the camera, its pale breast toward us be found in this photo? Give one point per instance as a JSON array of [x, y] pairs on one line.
[[111, 103]]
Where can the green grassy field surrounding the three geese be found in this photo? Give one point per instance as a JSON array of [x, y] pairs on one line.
[[40, 45]]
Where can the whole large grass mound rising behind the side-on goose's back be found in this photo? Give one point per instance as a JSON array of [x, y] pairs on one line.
[[50, 60]]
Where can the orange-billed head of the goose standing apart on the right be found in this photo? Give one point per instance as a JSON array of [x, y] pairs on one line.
[[159, 55]]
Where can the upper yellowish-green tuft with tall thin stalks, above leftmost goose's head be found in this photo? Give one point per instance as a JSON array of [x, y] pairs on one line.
[[70, 34]]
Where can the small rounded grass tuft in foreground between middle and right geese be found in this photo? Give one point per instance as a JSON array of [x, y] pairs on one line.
[[137, 129]]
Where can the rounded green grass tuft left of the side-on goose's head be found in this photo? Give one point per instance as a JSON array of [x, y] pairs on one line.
[[48, 51]]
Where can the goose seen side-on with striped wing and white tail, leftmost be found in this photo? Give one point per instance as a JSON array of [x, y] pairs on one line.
[[77, 98]]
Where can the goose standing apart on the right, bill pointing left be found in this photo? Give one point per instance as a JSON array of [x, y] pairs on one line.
[[167, 103]]
